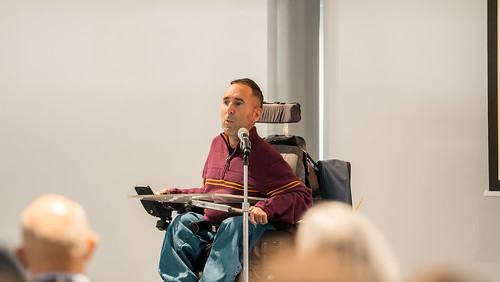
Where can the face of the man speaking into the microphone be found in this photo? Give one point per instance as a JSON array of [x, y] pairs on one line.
[[240, 108]]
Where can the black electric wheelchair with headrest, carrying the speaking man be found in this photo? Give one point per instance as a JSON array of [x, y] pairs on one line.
[[329, 180]]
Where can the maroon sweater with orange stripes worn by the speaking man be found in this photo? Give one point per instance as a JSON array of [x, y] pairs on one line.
[[268, 176]]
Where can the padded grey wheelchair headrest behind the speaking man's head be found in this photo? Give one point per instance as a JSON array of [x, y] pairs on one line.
[[280, 113]]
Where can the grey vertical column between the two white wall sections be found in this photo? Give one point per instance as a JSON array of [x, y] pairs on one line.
[[293, 63]]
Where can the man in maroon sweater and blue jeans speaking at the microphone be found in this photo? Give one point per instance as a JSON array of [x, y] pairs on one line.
[[269, 176]]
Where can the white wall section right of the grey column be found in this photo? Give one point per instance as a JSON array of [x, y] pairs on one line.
[[407, 104]]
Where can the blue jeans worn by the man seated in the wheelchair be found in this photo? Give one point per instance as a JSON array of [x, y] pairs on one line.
[[181, 247]]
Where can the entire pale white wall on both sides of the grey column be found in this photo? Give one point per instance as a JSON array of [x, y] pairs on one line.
[[97, 96]]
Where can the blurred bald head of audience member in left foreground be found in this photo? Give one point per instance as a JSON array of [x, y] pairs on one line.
[[56, 236]]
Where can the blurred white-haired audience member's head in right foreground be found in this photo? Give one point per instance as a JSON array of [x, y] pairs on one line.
[[350, 241]]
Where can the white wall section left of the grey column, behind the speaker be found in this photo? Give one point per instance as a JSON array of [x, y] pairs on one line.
[[98, 96]]
